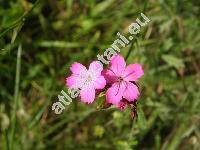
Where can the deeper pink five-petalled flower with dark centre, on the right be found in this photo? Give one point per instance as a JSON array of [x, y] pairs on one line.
[[121, 79]]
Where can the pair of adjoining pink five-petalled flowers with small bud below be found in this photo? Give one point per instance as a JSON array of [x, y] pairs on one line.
[[118, 81]]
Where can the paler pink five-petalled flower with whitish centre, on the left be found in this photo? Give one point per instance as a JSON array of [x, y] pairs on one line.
[[86, 80]]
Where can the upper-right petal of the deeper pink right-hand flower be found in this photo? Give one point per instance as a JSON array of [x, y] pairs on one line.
[[133, 72]]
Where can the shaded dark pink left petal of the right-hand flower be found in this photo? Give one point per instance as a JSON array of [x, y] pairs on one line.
[[109, 76]]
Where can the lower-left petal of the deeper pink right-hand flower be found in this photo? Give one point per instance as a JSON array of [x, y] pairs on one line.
[[114, 93]]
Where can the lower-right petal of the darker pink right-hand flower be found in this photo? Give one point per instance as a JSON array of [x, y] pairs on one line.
[[131, 92]]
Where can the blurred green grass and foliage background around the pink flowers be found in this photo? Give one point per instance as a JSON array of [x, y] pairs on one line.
[[39, 40]]
